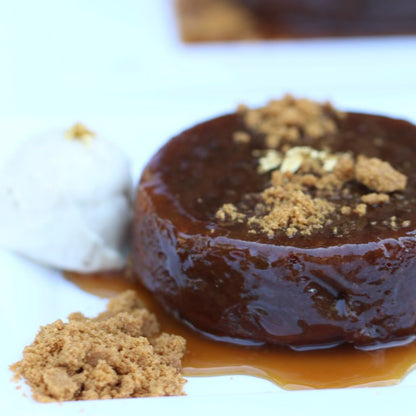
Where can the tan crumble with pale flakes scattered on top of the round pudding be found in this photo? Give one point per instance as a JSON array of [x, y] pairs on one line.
[[306, 183]]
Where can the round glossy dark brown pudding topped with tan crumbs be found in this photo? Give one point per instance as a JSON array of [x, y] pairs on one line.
[[291, 224]]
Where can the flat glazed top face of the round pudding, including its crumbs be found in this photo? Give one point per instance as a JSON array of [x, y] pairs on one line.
[[294, 173]]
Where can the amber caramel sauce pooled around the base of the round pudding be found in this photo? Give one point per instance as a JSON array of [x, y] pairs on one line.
[[330, 368]]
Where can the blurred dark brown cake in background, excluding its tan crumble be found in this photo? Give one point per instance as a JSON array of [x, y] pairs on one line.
[[336, 18]]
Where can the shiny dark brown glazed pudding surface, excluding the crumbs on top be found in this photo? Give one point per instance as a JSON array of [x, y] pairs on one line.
[[304, 291]]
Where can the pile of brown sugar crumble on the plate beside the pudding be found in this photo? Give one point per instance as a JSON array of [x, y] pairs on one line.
[[118, 354]]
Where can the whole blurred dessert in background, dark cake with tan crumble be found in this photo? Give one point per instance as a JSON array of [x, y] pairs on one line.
[[222, 20]]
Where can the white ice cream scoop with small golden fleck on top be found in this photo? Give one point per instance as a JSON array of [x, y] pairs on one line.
[[65, 201]]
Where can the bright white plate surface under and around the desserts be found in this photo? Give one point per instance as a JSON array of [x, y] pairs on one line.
[[120, 68]]
